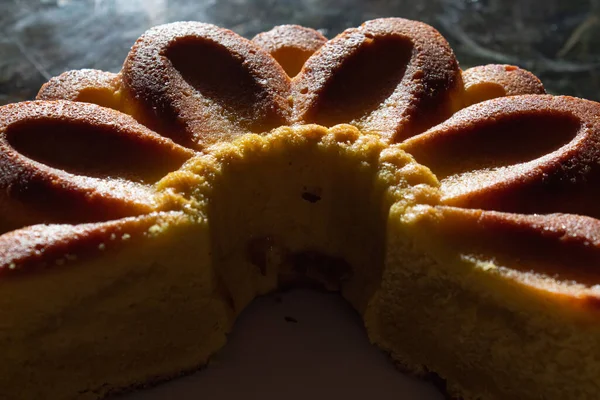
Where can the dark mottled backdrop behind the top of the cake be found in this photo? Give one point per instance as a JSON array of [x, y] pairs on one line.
[[558, 40]]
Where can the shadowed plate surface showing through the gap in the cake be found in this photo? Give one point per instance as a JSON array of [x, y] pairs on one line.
[[300, 344]]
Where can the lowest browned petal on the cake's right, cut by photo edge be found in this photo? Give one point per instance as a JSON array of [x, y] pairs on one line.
[[563, 246]]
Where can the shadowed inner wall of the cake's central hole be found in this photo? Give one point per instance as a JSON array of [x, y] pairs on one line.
[[293, 213]]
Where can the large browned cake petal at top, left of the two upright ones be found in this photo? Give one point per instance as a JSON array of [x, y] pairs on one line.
[[200, 84]]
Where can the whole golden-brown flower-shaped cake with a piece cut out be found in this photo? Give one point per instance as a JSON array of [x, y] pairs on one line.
[[456, 211]]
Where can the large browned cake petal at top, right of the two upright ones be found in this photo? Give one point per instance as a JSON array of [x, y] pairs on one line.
[[390, 76]]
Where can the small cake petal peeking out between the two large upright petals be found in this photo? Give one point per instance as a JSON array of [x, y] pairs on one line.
[[290, 45]]
